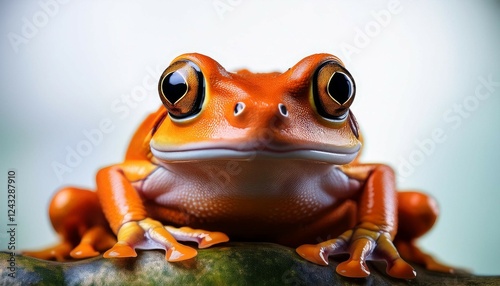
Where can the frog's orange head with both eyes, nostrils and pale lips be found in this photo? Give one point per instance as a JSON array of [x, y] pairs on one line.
[[302, 113]]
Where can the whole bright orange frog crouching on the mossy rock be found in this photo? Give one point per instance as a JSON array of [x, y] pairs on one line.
[[260, 156]]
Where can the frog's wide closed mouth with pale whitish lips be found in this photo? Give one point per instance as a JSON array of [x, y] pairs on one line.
[[199, 152]]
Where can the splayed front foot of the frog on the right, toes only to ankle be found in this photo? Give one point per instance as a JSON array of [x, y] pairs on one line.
[[362, 243]]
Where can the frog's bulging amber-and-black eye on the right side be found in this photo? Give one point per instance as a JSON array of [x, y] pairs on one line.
[[333, 90]]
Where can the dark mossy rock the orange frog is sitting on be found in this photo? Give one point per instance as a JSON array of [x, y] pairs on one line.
[[230, 264]]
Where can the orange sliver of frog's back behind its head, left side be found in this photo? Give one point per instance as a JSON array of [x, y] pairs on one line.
[[138, 148]]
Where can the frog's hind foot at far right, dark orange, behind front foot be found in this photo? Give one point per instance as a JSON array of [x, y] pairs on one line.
[[411, 252]]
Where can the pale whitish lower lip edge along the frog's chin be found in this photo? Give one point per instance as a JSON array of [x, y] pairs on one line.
[[321, 156]]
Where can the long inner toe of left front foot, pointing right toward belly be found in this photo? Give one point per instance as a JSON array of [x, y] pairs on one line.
[[202, 237]]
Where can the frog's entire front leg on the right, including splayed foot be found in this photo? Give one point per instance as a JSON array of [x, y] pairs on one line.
[[371, 238]]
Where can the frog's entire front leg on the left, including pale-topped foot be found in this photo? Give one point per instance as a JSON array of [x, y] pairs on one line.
[[128, 217]]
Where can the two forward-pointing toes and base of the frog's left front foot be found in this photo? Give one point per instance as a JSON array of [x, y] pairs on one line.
[[148, 234]]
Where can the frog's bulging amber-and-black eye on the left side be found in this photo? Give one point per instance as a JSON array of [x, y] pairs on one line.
[[182, 89]]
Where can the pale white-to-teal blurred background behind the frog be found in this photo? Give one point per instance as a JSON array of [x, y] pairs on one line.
[[82, 59]]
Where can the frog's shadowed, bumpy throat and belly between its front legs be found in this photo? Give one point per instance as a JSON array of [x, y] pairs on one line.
[[239, 194]]
